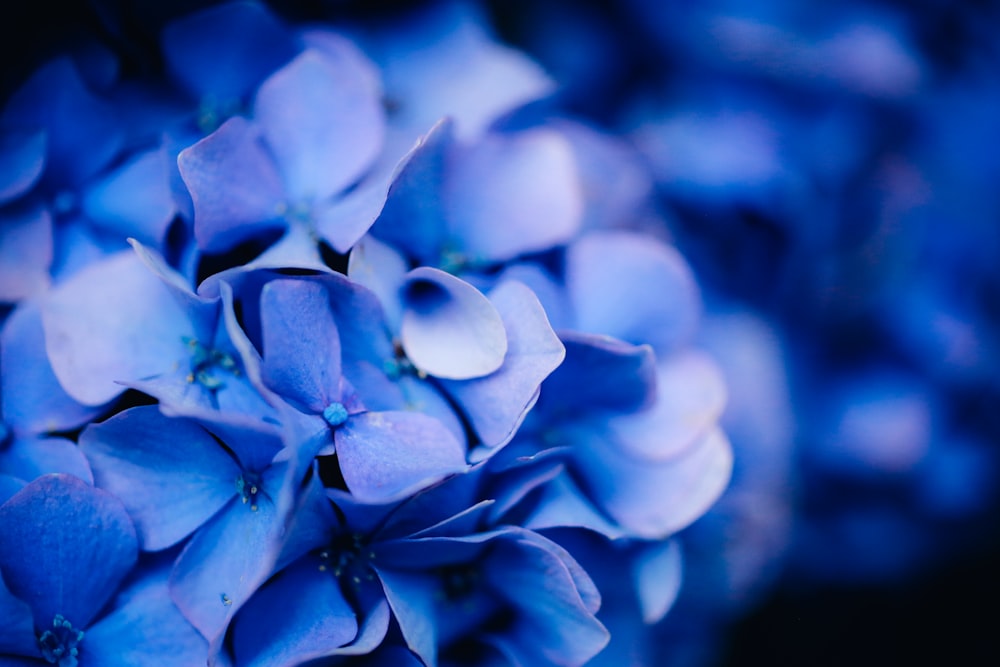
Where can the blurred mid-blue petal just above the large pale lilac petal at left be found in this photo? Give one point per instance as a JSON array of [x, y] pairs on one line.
[[135, 200]]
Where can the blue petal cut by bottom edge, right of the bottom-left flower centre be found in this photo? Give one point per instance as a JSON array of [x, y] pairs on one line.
[[145, 628]]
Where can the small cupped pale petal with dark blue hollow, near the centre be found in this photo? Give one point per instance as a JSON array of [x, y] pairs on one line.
[[450, 330]]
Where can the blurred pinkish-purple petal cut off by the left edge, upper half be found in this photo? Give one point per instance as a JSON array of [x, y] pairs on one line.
[[25, 252]]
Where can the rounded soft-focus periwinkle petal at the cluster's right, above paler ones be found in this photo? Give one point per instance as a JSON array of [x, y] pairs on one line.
[[633, 288]]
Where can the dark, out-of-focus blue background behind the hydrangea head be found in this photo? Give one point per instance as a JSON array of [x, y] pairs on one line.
[[830, 170]]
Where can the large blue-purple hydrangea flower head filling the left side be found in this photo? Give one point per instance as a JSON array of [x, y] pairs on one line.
[[336, 345]]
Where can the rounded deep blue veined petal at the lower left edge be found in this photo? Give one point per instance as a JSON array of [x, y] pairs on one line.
[[49, 557]]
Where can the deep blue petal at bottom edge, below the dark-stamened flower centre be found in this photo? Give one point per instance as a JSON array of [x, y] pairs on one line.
[[299, 615]]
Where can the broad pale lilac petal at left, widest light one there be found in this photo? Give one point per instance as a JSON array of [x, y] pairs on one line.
[[112, 321]]
